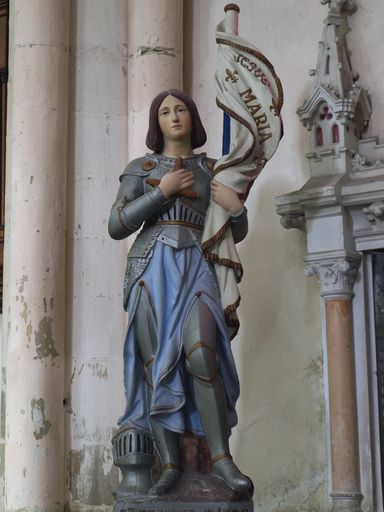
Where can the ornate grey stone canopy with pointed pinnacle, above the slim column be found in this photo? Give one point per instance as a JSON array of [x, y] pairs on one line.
[[341, 205]]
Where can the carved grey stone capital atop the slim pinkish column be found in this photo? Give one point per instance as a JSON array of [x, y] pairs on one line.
[[336, 276]]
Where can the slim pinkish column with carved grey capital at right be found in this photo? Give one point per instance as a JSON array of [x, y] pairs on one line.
[[336, 277]]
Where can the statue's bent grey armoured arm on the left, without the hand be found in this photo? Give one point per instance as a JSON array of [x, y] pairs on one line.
[[132, 206]]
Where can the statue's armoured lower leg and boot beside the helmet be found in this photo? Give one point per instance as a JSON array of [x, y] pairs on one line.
[[168, 447]]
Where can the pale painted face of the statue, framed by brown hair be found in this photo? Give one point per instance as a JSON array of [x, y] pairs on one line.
[[175, 120]]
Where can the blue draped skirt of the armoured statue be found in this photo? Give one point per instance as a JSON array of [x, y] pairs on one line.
[[173, 277]]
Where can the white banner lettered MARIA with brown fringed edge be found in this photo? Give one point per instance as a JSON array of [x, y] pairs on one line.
[[249, 91]]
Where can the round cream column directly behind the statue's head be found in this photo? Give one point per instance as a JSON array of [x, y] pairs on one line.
[[155, 61]]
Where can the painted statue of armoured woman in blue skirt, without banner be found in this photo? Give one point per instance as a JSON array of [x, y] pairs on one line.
[[179, 370]]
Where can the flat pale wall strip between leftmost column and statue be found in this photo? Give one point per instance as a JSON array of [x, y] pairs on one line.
[[95, 318]]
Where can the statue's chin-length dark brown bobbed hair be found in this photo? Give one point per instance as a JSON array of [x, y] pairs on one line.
[[155, 140]]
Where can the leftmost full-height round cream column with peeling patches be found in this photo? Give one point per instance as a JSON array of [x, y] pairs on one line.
[[34, 269]]
